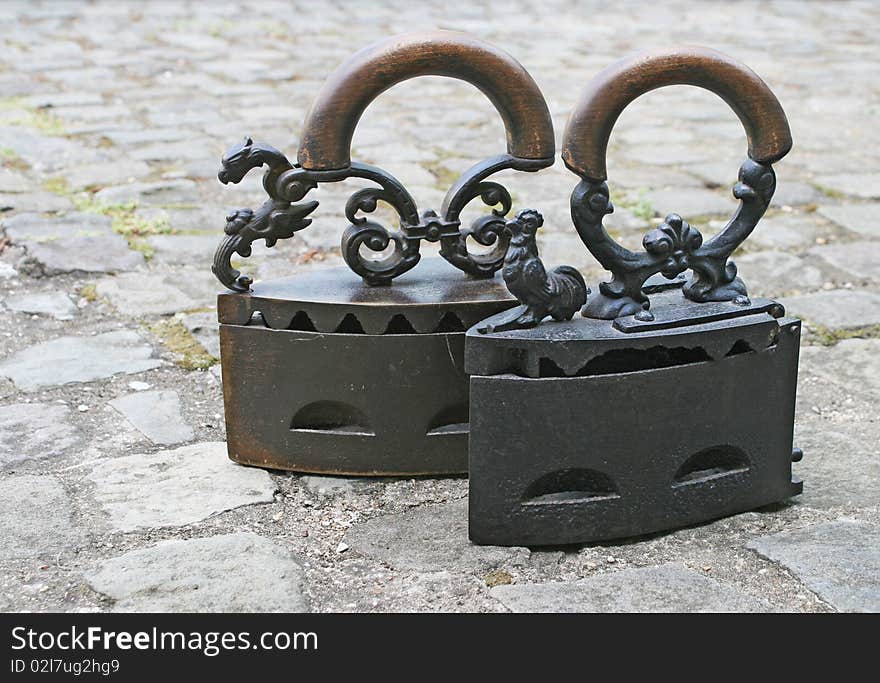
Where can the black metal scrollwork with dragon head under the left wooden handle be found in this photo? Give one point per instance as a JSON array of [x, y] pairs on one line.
[[281, 216]]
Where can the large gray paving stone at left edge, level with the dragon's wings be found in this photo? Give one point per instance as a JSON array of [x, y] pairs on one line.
[[76, 242]]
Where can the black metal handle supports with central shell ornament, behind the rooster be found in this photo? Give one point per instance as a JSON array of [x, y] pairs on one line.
[[670, 249]]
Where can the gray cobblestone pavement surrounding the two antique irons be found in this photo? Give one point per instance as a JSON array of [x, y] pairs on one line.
[[115, 491]]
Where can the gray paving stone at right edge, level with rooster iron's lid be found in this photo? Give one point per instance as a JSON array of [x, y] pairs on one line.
[[837, 308]]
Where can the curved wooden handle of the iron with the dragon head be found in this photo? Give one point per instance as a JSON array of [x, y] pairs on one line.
[[330, 124]]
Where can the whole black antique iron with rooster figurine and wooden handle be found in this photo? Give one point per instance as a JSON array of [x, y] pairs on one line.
[[669, 401]]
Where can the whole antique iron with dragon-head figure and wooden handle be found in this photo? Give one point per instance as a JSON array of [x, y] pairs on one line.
[[342, 371]]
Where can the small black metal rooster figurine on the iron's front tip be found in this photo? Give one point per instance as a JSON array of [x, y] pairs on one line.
[[559, 293]]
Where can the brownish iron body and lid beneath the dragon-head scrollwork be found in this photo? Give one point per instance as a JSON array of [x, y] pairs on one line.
[[323, 373]]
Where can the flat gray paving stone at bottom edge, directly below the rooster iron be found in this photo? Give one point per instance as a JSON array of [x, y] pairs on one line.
[[666, 588]]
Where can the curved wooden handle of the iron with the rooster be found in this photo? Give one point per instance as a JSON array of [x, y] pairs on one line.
[[589, 126]]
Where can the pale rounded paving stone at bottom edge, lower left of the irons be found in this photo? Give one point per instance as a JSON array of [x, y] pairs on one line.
[[240, 572]]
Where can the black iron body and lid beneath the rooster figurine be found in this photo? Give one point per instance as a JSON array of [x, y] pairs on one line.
[[583, 431]]
